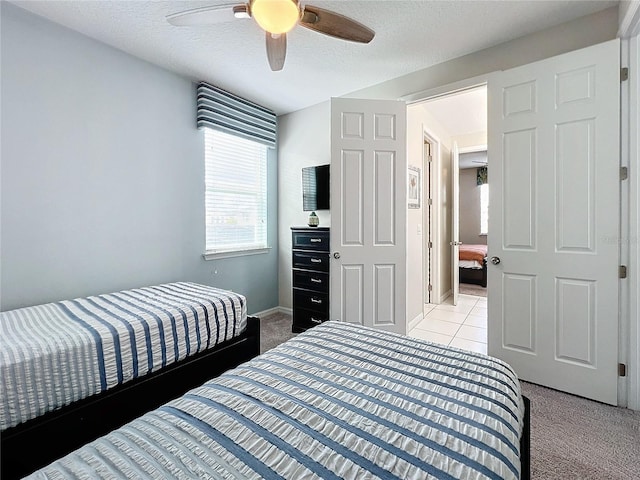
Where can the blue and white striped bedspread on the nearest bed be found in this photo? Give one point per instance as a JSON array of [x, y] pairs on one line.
[[338, 401]]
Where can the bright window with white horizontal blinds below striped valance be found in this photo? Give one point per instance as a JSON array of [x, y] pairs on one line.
[[236, 194]]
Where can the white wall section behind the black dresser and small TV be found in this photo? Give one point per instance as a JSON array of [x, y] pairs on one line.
[[305, 140]]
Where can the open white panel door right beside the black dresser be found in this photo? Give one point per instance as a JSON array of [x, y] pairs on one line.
[[368, 213]]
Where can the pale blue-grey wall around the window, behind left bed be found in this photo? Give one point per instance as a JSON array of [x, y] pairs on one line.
[[102, 174]]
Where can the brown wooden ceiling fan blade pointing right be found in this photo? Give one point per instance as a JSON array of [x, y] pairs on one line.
[[335, 25]]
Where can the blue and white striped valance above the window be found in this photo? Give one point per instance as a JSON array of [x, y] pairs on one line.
[[231, 114]]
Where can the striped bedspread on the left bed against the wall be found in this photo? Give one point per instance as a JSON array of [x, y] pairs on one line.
[[54, 354]]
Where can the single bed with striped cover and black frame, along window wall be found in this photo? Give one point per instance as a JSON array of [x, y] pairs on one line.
[[76, 369]]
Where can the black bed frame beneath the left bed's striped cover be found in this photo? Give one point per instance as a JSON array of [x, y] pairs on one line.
[[38, 442]]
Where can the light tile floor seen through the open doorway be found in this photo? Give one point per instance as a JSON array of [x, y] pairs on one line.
[[463, 325]]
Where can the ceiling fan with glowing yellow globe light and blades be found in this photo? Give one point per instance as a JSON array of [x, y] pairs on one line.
[[276, 18]]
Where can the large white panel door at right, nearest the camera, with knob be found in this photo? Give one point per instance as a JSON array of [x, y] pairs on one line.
[[554, 220]]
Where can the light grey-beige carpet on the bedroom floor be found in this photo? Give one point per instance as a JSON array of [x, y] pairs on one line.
[[571, 438]]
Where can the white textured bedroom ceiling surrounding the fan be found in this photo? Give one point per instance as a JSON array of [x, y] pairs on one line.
[[410, 35]]
